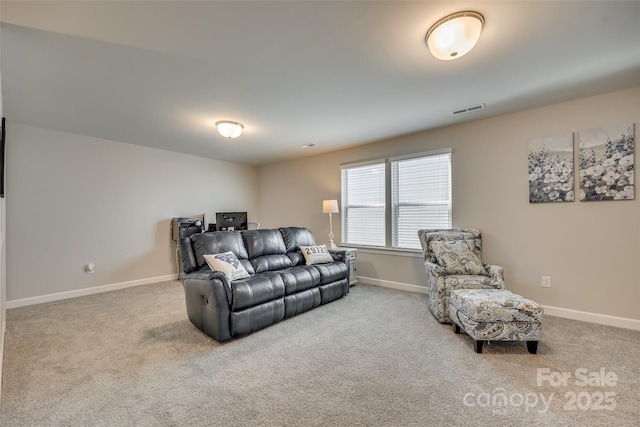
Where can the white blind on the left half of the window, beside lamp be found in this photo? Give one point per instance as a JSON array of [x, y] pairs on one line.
[[363, 204]]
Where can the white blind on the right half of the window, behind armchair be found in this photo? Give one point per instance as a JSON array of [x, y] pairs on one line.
[[420, 197]]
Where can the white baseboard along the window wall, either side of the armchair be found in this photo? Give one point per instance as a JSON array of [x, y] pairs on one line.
[[601, 319]]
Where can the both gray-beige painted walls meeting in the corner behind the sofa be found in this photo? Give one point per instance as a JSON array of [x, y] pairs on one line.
[[74, 200]]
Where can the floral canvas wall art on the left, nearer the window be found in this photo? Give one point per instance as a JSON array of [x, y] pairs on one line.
[[551, 176]]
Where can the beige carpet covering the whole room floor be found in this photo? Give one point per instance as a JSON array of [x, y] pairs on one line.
[[374, 358]]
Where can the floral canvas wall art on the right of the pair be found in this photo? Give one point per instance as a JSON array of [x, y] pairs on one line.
[[606, 163]]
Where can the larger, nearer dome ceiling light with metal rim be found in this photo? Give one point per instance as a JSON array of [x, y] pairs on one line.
[[455, 35]]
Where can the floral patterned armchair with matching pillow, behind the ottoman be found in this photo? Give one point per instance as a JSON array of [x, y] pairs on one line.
[[453, 260]]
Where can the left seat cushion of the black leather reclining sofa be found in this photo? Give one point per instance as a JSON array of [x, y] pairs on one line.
[[256, 290]]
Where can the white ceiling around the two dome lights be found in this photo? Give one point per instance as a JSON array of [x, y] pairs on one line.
[[330, 73]]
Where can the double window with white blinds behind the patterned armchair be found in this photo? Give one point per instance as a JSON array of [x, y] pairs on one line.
[[418, 196]]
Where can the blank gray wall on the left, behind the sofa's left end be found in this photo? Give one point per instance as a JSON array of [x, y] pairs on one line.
[[74, 200]]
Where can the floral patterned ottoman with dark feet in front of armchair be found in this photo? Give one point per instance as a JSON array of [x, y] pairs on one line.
[[496, 315]]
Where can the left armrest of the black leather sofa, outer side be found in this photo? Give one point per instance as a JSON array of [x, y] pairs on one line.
[[207, 297]]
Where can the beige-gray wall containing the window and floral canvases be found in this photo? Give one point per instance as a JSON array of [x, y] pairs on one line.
[[590, 249]]
